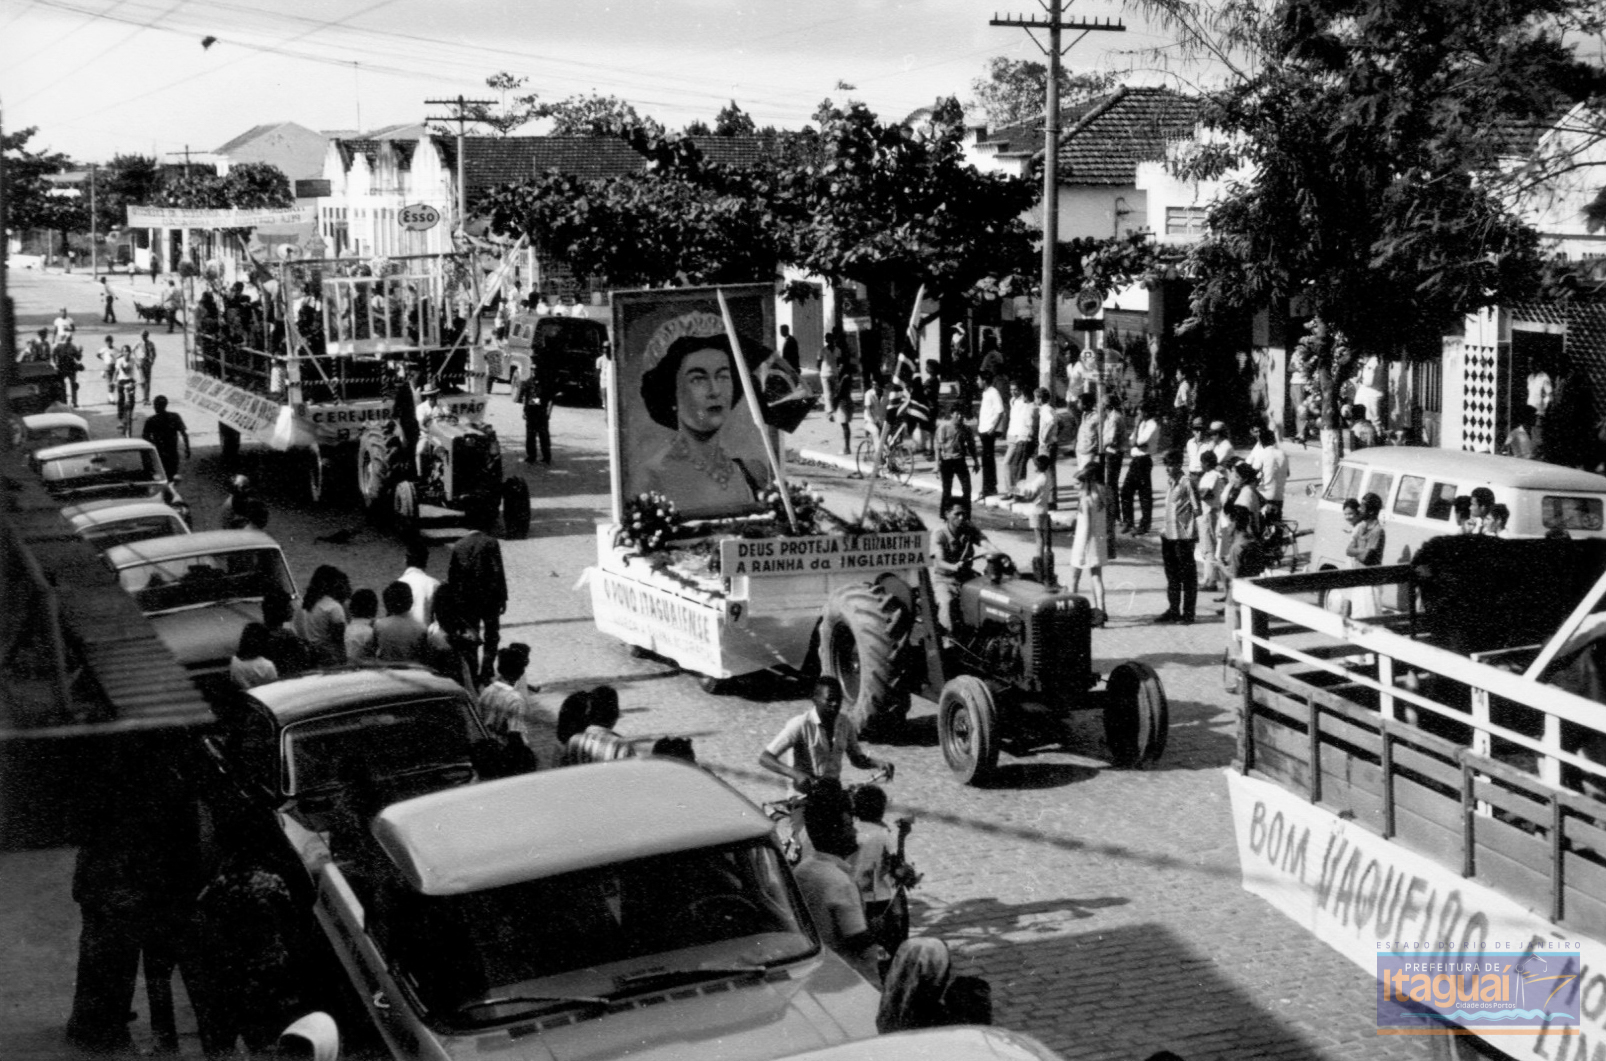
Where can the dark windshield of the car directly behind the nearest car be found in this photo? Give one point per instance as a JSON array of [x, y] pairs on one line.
[[393, 742]]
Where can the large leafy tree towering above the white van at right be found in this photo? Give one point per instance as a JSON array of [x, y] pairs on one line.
[[1363, 131]]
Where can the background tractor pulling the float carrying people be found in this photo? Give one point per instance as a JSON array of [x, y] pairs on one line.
[[455, 473]]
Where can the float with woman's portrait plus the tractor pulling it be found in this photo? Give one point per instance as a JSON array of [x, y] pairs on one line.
[[717, 564]]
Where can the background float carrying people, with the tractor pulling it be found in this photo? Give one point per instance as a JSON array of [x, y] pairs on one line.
[[328, 362]]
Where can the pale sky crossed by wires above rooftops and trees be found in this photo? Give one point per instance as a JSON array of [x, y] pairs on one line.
[[104, 78]]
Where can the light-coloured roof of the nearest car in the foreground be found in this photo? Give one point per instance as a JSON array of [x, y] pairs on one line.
[[553, 823]]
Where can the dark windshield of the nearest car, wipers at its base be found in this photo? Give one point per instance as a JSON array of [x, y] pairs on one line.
[[661, 922]]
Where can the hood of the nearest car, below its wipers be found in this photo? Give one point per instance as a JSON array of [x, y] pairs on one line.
[[810, 1006]]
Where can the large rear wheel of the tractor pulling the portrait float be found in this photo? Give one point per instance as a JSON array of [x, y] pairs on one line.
[[863, 635]]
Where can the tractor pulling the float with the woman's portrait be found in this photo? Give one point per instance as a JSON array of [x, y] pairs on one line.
[[1016, 665]]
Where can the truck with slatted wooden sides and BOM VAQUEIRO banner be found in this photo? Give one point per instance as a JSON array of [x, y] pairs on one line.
[[1427, 786]]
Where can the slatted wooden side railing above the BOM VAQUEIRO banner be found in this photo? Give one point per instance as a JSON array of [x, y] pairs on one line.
[[1480, 770]]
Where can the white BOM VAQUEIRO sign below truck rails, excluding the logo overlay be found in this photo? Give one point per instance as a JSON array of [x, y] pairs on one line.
[[1359, 895]]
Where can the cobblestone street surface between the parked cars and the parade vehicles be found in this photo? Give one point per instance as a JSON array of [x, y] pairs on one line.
[[1106, 906]]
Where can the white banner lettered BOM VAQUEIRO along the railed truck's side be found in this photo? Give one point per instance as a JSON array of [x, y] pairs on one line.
[[1396, 914]]
